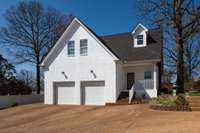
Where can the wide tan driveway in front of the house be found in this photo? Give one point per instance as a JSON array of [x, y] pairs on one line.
[[40, 118]]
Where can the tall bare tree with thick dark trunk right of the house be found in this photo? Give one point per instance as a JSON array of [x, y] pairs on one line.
[[180, 20]]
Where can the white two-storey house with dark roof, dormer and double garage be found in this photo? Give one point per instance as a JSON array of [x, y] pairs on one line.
[[84, 68]]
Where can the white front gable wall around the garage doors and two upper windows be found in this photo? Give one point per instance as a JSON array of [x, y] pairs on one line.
[[78, 68]]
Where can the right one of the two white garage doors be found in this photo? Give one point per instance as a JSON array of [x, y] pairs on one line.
[[93, 93]]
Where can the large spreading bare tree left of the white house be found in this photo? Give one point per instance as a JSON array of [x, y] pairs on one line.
[[31, 31]]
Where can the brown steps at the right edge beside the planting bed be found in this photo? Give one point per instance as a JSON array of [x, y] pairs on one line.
[[194, 103]]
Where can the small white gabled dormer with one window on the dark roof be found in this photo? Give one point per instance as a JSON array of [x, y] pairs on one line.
[[140, 36]]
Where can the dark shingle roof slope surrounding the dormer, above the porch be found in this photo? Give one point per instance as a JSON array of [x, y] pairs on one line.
[[122, 46]]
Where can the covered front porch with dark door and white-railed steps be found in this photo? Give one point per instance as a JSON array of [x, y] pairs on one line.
[[139, 81]]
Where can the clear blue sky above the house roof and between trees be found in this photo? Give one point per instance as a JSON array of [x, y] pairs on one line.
[[102, 16]]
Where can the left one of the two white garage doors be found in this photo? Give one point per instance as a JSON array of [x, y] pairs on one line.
[[65, 93]]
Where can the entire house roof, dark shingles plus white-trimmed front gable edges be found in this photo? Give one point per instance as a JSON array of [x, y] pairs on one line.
[[120, 46]]
